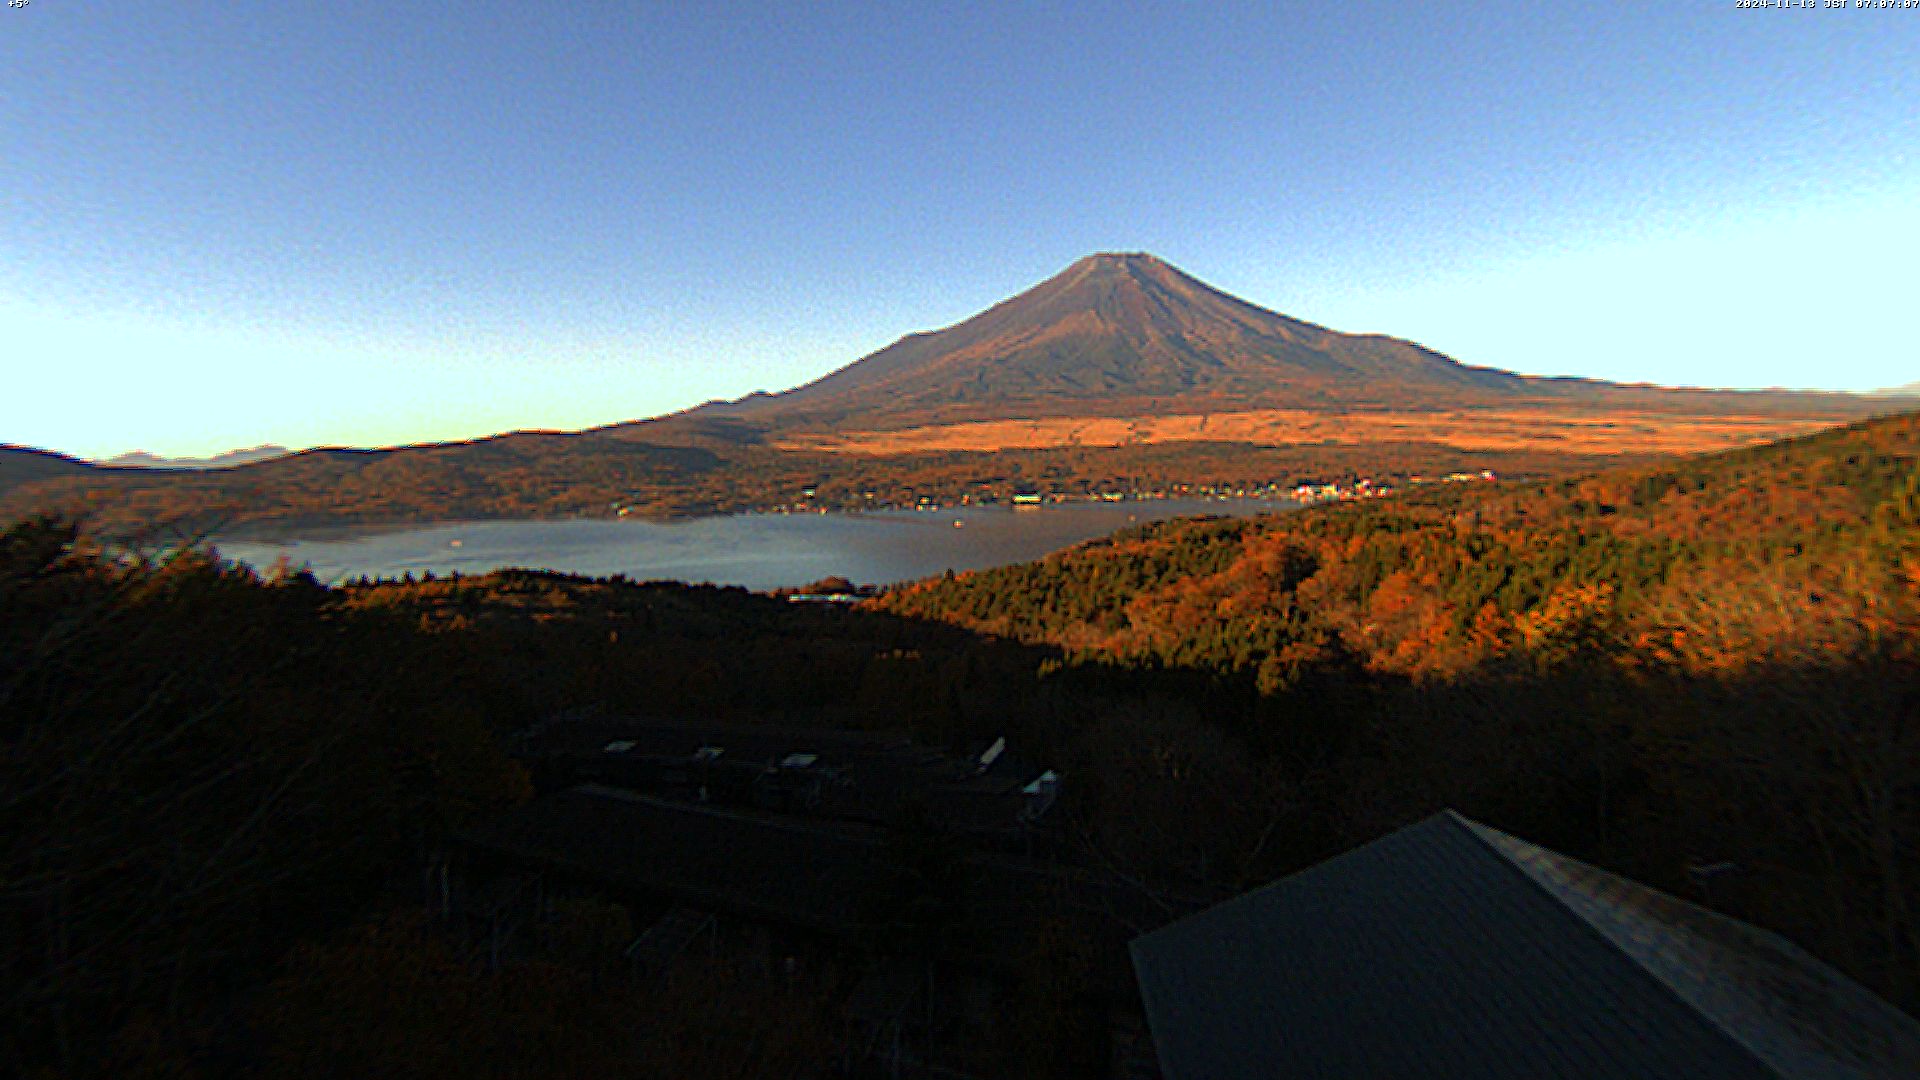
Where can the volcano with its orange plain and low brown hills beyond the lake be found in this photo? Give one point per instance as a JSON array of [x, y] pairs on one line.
[[1118, 374]]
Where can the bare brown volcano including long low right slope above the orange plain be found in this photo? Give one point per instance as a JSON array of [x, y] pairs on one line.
[[1132, 337]]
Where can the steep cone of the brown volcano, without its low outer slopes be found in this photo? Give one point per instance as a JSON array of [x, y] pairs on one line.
[[1120, 331]]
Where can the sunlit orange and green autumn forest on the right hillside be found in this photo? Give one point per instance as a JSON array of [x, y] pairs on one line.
[[1796, 551]]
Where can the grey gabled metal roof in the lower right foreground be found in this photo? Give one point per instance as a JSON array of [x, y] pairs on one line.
[[1456, 950]]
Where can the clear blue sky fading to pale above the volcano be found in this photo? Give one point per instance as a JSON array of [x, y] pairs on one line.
[[375, 224]]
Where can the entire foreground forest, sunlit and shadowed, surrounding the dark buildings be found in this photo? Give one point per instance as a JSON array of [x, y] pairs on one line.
[[220, 789]]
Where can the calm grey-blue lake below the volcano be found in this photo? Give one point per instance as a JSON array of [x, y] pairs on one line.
[[757, 551]]
